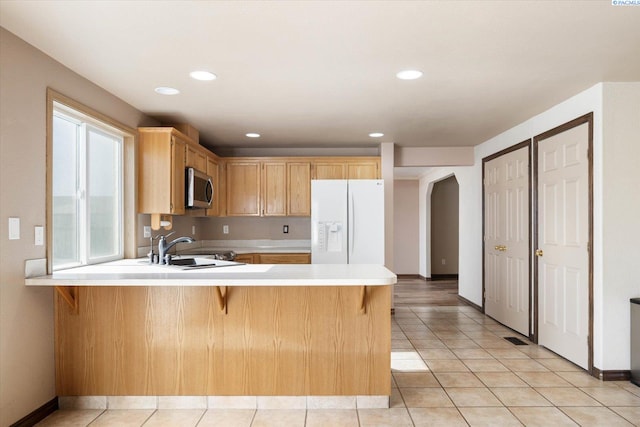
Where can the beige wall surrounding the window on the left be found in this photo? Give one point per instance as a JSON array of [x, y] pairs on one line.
[[26, 314]]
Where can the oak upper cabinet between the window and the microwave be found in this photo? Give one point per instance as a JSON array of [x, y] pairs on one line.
[[161, 163]]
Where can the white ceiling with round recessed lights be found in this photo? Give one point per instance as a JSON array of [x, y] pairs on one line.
[[322, 73]]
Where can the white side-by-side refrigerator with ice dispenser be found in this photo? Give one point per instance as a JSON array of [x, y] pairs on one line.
[[347, 221]]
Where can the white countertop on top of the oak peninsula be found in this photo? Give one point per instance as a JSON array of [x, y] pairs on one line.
[[137, 272]]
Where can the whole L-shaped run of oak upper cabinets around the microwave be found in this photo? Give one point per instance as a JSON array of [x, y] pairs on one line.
[[242, 186]]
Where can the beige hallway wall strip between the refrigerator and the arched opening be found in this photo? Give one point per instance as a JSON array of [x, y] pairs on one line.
[[406, 237]]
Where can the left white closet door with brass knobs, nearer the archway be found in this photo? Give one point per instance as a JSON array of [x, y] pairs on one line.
[[507, 239]]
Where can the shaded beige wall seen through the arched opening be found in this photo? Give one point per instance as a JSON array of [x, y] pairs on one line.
[[444, 227]]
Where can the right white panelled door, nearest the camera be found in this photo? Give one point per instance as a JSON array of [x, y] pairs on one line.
[[563, 238]]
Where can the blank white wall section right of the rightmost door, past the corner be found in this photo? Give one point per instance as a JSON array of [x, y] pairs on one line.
[[620, 210]]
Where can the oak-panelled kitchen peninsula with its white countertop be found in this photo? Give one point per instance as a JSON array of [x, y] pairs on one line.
[[127, 328]]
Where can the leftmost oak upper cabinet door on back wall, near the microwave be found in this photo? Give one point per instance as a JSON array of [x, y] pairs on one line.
[[243, 188]]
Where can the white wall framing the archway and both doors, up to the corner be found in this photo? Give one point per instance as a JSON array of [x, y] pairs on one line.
[[470, 181]]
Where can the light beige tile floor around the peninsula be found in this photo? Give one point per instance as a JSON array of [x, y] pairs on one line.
[[450, 366]]
